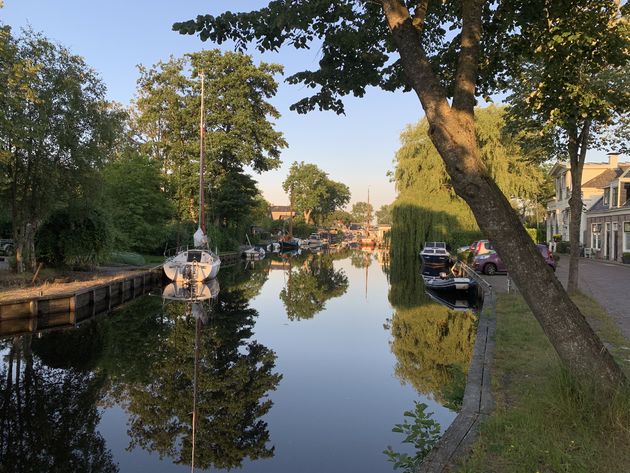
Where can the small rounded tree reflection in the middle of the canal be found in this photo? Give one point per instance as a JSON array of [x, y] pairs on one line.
[[310, 286]]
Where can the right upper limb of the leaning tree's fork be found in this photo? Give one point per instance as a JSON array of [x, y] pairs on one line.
[[468, 64]]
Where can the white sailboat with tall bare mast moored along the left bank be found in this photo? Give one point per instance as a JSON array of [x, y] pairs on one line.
[[198, 263]]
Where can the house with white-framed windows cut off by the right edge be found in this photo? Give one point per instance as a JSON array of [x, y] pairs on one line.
[[608, 221]]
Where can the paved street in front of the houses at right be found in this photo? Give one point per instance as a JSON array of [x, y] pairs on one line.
[[607, 283]]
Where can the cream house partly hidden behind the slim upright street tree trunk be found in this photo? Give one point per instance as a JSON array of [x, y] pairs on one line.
[[595, 178]]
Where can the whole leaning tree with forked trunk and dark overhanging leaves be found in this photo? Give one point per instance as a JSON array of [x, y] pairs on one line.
[[404, 44]]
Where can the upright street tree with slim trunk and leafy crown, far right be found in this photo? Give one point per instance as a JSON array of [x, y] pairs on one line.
[[574, 86]]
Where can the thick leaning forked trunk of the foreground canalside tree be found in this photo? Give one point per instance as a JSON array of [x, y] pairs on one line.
[[452, 130]]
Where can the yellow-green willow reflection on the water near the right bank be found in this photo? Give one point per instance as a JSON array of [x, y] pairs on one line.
[[433, 344]]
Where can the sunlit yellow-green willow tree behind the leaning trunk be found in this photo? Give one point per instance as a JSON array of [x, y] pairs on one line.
[[427, 207]]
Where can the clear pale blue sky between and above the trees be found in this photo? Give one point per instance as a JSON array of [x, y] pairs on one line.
[[114, 36]]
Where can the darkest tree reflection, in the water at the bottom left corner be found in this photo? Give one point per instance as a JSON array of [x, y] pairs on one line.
[[48, 415]]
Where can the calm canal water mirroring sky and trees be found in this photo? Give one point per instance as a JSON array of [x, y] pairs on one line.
[[301, 363]]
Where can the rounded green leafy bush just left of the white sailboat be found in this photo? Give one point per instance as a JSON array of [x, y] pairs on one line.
[[139, 209]]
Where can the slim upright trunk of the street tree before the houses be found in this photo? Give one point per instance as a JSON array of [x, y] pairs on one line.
[[577, 155]]
